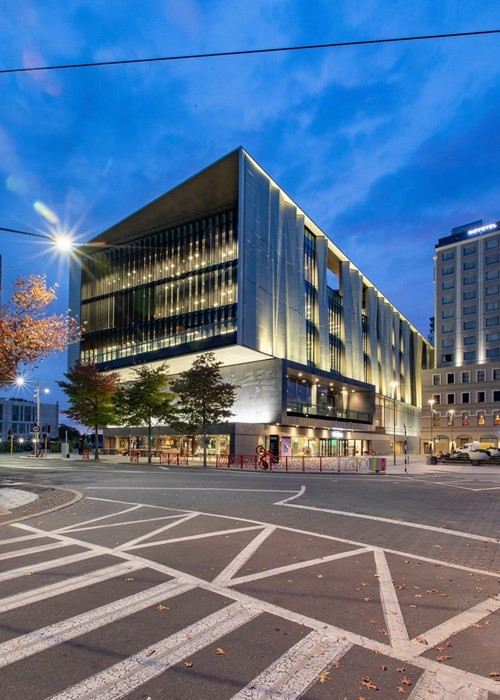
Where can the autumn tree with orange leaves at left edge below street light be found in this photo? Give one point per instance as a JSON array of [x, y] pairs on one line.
[[27, 334]]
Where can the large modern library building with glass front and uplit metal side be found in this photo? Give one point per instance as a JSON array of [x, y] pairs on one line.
[[227, 262]]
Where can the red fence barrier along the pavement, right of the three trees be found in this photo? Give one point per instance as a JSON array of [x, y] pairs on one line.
[[294, 464]]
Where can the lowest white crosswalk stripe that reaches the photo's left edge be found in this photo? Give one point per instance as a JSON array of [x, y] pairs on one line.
[[42, 639]]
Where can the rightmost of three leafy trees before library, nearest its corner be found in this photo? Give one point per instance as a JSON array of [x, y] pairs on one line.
[[204, 398]]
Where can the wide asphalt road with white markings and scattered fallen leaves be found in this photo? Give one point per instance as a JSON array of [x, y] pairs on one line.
[[185, 583]]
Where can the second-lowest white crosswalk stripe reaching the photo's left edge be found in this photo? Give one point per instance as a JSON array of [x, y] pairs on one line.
[[70, 584]]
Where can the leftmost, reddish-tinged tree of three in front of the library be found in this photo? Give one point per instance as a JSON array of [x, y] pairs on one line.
[[91, 397]]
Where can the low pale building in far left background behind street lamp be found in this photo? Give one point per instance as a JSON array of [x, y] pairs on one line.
[[19, 416]]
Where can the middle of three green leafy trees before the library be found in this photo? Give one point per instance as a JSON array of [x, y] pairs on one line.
[[146, 400]]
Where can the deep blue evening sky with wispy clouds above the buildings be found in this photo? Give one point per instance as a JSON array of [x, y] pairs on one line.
[[385, 147]]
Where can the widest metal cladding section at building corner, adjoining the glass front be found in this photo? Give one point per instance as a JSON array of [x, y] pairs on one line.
[[271, 313]]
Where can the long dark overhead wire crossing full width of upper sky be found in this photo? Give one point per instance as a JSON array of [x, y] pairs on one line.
[[247, 52]]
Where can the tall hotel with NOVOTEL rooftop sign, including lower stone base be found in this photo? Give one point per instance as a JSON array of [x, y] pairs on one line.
[[461, 395]]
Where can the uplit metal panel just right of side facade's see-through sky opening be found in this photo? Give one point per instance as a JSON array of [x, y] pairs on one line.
[[351, 289]]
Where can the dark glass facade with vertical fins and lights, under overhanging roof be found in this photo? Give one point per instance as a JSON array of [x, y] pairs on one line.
[[162, 290]]
